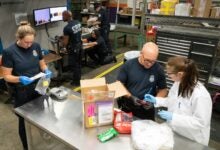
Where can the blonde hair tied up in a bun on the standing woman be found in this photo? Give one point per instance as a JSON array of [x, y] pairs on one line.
[[24, 29]]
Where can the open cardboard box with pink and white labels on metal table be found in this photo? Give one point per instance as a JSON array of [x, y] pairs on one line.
[[98, 101]]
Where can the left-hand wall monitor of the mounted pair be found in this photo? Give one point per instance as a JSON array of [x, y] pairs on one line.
[[41, 16]]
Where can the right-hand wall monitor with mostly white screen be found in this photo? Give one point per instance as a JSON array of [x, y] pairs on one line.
[[56, 13]]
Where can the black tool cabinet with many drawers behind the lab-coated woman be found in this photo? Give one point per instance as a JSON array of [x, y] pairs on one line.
[[199, 46]]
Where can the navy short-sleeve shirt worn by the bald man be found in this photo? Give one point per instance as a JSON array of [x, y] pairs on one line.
[[139, 80]]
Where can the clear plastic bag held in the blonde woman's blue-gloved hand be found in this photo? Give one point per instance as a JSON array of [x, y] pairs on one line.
[[42, 85]]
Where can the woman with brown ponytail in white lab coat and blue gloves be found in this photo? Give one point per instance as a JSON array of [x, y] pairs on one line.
[[189, 103]]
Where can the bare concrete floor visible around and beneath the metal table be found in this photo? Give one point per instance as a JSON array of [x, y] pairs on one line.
[[9, 139]]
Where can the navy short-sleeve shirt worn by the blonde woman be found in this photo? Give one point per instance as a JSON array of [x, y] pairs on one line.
[[24, 62]]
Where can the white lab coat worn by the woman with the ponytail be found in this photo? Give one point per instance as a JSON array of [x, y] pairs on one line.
[[191, 116]]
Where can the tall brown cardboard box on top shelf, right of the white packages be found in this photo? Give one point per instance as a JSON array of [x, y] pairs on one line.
[[202, 8]]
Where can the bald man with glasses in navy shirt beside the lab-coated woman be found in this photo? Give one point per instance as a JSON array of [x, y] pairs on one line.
[[142, 75]]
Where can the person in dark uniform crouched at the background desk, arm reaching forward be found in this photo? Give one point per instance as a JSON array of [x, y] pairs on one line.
[[99, 52]]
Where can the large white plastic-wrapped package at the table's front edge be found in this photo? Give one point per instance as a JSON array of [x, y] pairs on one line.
[[149, 135]]
